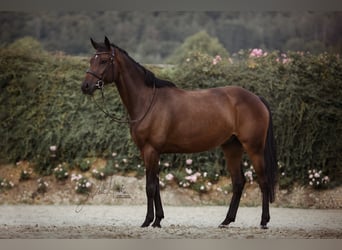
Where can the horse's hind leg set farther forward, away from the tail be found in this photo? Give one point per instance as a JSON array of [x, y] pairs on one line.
[[233, 152]]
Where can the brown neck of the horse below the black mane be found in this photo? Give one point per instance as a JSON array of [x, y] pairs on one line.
[[132, 88]]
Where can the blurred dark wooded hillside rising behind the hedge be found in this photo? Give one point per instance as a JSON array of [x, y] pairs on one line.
[[153, 36]]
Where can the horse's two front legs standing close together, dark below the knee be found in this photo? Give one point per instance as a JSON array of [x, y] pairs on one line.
[[151, 158]]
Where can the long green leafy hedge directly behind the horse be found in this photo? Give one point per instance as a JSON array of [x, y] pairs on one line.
[[42, 105]]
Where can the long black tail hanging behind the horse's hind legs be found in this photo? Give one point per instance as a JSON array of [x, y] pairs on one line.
[[270, 156]]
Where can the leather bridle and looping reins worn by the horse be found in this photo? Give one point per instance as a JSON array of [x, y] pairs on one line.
[[100, 85]]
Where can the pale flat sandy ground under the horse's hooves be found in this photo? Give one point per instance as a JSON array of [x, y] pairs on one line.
[[189, 222]]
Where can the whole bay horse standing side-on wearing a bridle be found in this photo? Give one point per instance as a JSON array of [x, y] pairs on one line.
[[166, 119]]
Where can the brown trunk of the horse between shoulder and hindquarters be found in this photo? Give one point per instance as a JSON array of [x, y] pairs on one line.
[[195, 122]]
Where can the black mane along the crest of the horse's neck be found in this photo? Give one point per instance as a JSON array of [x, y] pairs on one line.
[[150, 79]]
